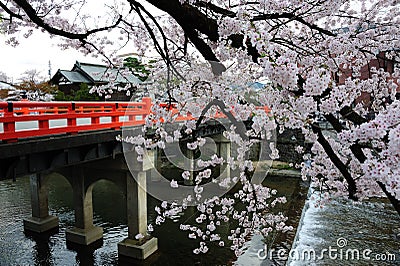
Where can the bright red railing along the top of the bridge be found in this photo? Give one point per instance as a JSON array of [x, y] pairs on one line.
[[34, 119]]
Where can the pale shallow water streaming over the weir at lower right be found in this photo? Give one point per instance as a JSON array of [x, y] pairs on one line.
[[346, 233]]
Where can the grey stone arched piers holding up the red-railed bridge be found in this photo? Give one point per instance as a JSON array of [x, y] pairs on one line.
[[130, 178]]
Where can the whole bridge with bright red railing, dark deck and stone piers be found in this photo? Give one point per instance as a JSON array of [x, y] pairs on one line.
[[78, 141]]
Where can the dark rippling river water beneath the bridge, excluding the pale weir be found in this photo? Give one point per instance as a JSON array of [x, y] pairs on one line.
[[19, 248]]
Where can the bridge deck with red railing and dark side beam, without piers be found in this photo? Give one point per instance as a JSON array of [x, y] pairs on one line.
[[41, 136]]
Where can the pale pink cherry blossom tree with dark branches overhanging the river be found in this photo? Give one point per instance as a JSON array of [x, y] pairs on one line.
[[318, 58]]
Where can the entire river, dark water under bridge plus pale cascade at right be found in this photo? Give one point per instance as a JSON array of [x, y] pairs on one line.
[[371, 225]]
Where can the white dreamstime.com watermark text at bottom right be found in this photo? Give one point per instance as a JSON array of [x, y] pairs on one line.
[[338, 252]]
